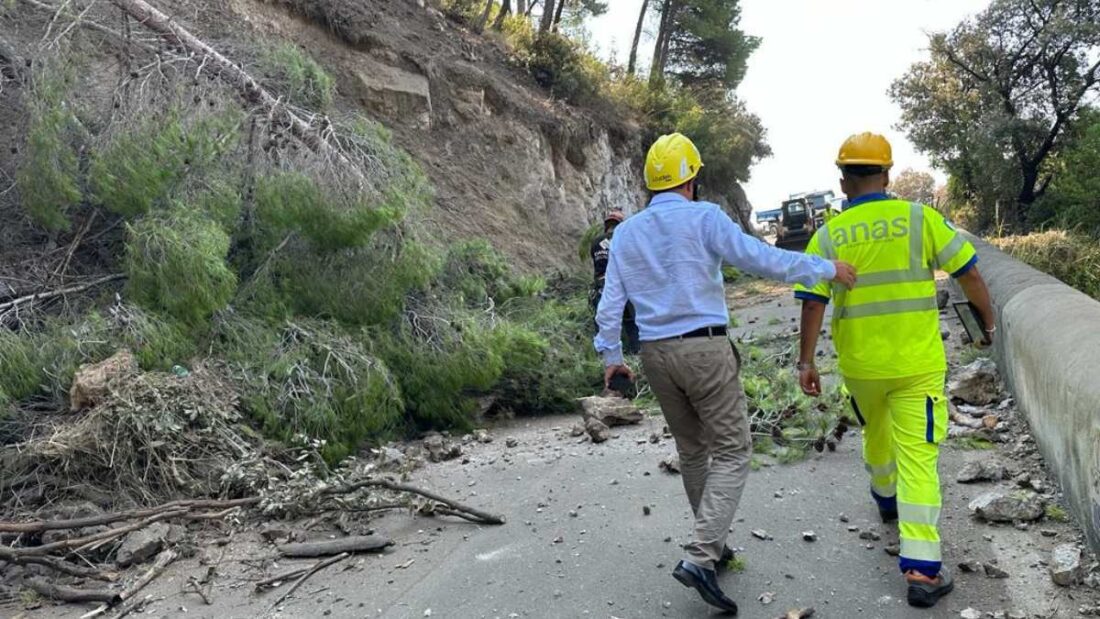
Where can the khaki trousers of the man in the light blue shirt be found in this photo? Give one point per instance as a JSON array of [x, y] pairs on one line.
[[697, 382]]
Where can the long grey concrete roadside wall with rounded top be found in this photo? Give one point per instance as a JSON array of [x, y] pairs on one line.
[[1048, 347]]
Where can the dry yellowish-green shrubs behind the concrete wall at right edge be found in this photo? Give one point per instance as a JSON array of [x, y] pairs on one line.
[[1074, 259]]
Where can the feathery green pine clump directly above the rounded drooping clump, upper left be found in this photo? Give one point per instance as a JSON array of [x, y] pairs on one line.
[[144, 169]]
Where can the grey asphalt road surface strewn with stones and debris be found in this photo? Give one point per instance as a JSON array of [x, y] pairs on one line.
[[595, 530]]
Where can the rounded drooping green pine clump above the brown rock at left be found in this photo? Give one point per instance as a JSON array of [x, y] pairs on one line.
[[177, 264]]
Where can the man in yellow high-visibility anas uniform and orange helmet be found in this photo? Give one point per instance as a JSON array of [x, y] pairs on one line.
[[892, 356]]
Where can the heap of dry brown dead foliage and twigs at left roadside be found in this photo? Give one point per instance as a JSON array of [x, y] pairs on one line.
[[155, 437]]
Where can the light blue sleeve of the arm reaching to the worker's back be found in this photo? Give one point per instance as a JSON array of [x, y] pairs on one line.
[[749, 253]]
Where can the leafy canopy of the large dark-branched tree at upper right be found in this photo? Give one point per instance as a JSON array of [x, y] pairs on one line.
[[995, 100]]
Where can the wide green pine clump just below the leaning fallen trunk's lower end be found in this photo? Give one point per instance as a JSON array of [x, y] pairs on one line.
[[292, 202]]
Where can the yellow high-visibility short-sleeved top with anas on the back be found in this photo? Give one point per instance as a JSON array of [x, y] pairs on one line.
[[888, 326]]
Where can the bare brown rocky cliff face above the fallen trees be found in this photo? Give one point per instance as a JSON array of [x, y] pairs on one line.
[[509, 163]]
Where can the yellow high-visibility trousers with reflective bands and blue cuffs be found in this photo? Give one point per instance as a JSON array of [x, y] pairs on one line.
[[904, 422]]
